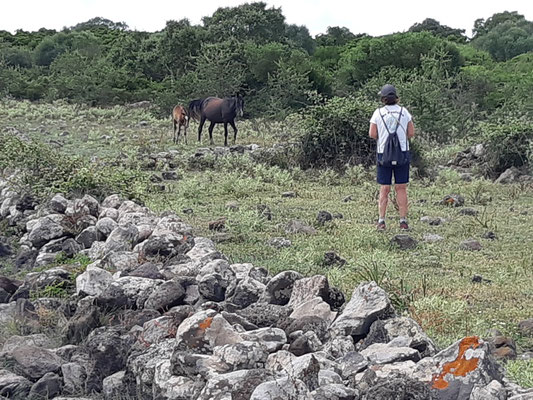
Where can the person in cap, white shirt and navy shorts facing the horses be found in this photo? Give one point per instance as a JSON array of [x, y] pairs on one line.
[[387, 120]]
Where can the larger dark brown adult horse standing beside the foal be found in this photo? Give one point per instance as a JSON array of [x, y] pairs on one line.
[[217, 111]]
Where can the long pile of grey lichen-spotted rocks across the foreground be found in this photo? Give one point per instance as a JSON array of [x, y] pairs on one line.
[[160, 314]]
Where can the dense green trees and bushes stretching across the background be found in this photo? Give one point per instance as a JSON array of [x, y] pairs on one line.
[[456, 87]]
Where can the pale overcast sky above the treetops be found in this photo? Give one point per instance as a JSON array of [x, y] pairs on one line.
[[372, 17]]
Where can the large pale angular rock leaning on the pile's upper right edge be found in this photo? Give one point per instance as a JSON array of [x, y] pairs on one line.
[[368, 303]]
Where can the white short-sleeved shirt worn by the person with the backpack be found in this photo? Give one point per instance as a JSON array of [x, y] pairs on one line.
[[391, 115]]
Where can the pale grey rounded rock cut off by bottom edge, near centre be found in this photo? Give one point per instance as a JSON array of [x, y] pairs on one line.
[[281, 389]]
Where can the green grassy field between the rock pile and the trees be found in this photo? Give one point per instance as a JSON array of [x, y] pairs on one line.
[[432, 283]]
